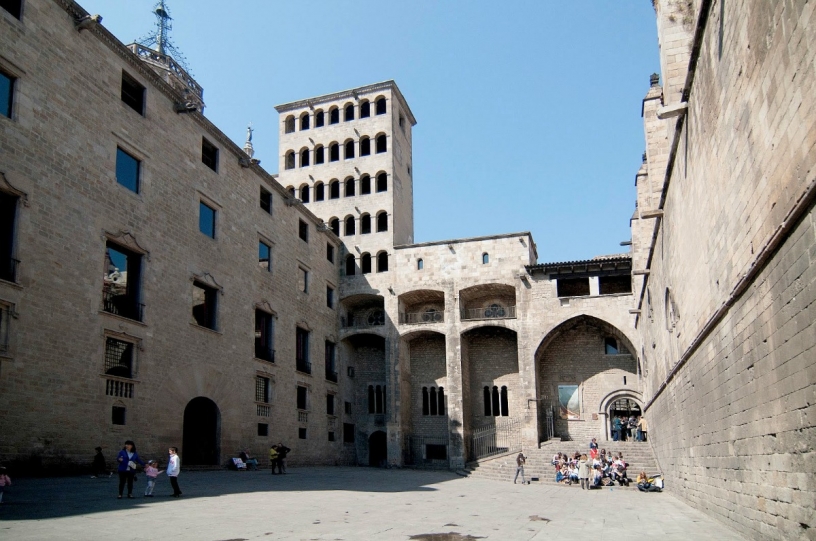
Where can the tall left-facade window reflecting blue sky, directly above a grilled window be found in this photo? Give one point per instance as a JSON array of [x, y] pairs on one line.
[[121, 283]]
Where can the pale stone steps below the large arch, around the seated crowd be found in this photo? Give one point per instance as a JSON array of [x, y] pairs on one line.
[[503, 468]]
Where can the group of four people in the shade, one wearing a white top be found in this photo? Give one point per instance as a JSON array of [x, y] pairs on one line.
[[128, 463]]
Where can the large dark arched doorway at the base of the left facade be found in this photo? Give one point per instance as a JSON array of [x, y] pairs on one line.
[[202, 432]]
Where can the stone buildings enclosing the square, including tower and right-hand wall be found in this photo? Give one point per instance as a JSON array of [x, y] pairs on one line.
[[132, 304]]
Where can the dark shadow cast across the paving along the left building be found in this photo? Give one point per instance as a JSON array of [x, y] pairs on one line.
[[43, 498]]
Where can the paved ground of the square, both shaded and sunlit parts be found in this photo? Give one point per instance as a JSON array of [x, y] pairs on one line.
[[342, 503]]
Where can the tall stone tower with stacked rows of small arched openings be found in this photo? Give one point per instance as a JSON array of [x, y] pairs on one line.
[[347, 156]]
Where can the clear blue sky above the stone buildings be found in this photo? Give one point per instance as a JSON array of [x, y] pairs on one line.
[[528, 111]]
